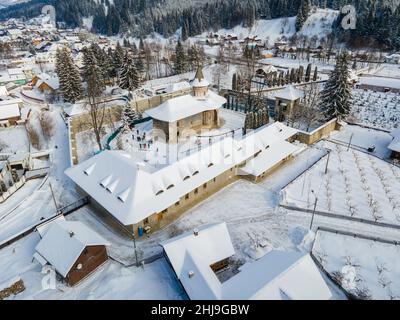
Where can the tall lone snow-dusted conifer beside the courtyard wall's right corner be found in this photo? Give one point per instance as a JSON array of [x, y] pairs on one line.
[[336, 96]]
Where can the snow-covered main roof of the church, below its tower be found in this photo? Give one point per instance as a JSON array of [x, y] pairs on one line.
[[185, 106]]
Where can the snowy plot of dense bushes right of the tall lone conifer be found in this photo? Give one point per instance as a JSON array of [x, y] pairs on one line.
[[376, 109]]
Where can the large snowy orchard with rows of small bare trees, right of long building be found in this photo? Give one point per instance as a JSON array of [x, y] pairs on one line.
[[356, 185]]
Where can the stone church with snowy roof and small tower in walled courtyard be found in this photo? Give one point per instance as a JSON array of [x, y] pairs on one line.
[[185, 115]]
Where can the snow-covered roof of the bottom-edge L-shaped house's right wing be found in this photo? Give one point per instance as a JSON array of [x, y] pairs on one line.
[[278, 275]]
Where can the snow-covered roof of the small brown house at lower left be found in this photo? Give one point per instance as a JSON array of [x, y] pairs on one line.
[[64, 242]]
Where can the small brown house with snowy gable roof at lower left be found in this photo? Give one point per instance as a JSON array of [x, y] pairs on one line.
[[74, 250]]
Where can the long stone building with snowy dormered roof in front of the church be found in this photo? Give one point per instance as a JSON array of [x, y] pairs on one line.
[[139, 198]]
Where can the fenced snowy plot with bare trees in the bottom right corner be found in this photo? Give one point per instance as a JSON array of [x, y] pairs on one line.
[[367, 269]]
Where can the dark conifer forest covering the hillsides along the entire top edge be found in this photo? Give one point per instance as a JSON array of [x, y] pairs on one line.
[[377, 23]]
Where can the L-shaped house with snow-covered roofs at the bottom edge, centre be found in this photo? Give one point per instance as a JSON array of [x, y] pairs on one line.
[[196, 257]]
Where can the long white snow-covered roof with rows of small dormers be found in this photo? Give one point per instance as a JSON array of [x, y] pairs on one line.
[[131, 192]]
